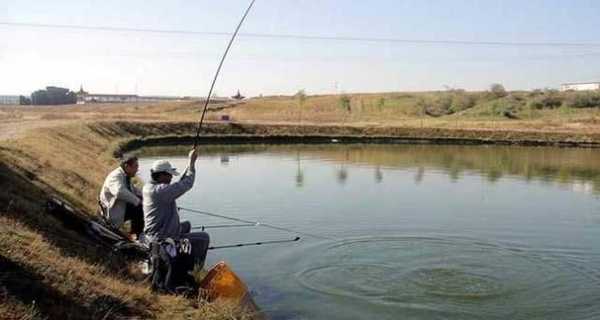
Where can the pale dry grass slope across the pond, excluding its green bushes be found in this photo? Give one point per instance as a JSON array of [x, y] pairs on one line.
[[403, 110]]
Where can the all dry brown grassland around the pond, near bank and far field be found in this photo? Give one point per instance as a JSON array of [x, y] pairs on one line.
[[51, 272]]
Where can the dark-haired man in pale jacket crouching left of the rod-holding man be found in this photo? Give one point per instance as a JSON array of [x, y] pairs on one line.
[[120, 200]]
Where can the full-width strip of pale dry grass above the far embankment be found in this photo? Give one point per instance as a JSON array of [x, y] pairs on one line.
[[366, 110]]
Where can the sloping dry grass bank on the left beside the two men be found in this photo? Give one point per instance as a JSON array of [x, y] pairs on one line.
[[48, 271]]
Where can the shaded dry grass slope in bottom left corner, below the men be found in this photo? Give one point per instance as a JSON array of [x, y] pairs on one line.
[[38, 280]]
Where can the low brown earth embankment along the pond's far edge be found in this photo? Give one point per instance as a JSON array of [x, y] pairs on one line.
[[179, 133]]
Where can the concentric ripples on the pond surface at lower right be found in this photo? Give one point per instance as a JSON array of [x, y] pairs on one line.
[[451, 276]]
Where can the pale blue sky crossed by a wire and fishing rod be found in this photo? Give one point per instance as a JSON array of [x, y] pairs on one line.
[[184, 64]]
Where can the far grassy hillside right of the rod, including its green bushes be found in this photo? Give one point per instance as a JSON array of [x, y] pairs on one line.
[[532, 110]]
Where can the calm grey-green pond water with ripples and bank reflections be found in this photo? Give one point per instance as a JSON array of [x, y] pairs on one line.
[[405, 231]]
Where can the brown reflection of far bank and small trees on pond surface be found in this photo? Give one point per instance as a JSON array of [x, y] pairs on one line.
[[574, 167]]
